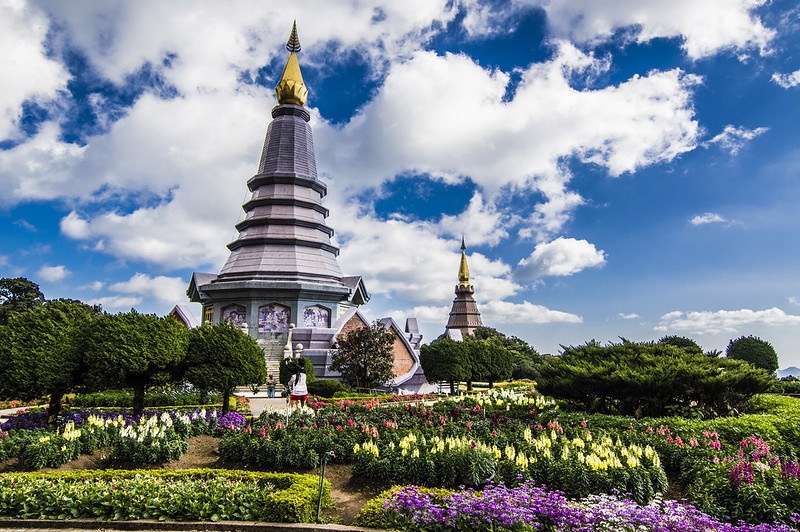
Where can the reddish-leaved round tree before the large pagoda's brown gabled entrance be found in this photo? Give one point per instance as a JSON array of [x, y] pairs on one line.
[[364, 358]]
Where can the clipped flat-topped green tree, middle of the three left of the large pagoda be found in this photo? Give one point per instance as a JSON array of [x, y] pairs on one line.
[[133, 350]]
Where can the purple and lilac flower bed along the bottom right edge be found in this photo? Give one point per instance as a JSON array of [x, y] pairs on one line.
[[528, 507]]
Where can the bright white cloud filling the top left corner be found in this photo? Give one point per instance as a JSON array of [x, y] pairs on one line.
[[28, 74]]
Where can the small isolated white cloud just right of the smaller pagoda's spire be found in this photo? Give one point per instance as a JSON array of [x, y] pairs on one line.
[[561, 257]]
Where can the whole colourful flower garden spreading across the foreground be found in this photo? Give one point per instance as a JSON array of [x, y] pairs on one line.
[[507, 459]]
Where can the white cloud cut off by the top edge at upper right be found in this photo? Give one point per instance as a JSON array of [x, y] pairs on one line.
[[704, 28]]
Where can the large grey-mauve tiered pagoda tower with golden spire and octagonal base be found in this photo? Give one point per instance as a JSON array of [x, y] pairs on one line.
[[282, 268]]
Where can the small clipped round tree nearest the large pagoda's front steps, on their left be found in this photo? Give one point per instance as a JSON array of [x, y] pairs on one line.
[[221, 357]]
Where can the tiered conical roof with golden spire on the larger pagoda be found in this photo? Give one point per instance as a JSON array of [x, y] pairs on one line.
[[283, 236]]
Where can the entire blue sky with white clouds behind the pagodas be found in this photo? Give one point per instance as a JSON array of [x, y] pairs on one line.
[[618, 169]]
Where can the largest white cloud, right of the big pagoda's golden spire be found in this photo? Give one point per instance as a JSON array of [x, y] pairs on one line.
[[519, 144]]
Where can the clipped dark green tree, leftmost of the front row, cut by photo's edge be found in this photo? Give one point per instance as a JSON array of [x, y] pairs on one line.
[[43, 355]]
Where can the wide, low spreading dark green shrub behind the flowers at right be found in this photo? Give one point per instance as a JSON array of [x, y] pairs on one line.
[[646, 379]]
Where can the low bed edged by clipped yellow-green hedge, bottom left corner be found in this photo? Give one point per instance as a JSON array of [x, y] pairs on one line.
[[190, 494]]
